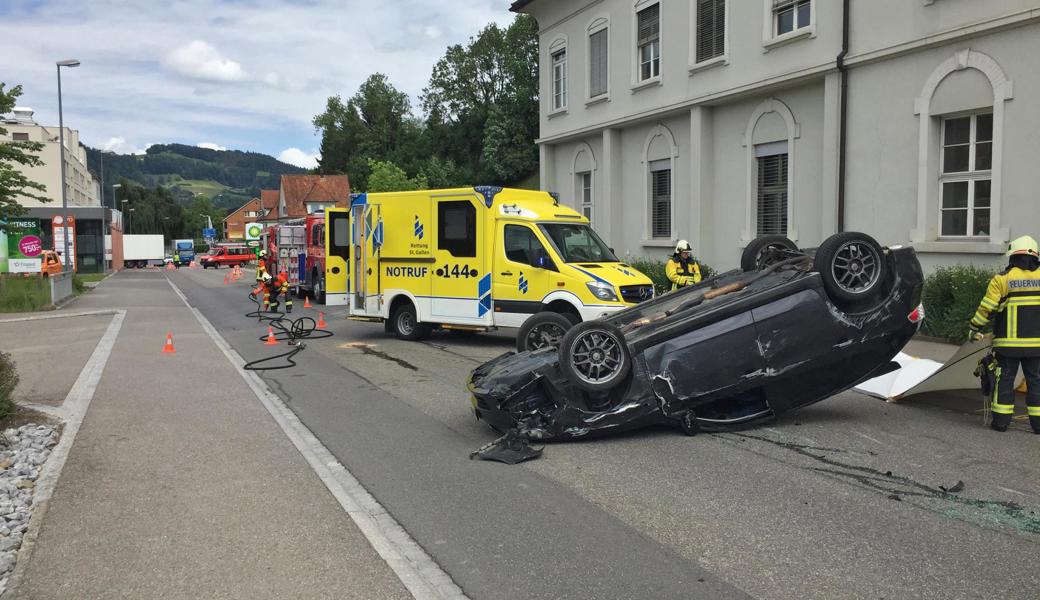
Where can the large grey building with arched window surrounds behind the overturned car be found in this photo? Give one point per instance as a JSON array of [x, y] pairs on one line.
[[720, 121]]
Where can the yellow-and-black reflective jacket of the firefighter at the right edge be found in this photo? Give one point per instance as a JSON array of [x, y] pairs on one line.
[[1013, 303]]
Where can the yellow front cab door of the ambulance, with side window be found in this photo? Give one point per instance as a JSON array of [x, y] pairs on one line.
[[519, 284]]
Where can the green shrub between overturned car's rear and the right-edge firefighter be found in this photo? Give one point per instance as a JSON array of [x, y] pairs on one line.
[[951, 297]]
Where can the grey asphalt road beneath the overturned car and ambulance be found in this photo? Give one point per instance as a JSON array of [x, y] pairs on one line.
[[843, 500]]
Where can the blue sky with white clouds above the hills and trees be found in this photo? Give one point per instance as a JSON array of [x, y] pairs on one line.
[[237, 74]]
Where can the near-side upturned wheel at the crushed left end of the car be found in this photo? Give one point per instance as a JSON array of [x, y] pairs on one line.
[[594, 356]]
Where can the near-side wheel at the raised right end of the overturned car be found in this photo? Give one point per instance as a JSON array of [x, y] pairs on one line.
[[852, 267]]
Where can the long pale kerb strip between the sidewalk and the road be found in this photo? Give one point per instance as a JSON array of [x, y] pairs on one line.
[[421, 575]]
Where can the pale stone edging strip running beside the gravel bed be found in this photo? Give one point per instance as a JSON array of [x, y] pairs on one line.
[[73, 409]]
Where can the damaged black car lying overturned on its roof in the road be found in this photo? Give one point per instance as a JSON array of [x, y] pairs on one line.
[[793, 328]]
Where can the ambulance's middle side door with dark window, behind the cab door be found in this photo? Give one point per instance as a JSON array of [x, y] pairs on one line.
[[461, 291]]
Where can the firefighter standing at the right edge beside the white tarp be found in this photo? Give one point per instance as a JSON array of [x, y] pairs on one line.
[[1013, 303]]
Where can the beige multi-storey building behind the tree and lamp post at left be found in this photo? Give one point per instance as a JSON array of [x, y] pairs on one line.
[[82, 188]]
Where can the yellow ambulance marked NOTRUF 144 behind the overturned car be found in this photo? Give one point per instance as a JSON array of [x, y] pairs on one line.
[[480, 258]]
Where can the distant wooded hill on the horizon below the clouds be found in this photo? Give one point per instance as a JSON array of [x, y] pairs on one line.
[[229, 177]]
